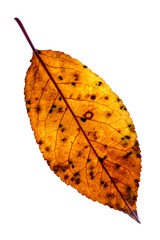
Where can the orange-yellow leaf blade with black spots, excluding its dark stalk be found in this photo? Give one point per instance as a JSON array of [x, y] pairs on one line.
[[100, 157]]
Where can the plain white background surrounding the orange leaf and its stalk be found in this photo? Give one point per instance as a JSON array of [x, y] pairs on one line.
[[120, 41]]
